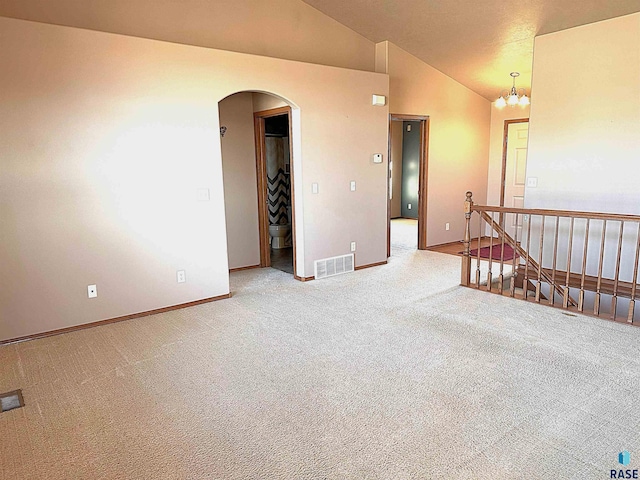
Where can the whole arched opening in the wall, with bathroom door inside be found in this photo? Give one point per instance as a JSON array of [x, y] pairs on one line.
[[258, 176]]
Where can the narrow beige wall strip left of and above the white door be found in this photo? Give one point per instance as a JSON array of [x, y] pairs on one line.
[[498, 116]]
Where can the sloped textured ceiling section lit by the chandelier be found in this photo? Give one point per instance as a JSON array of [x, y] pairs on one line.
[[478, 43]]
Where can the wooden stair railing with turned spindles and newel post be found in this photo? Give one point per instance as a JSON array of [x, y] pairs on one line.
[[560, 277]]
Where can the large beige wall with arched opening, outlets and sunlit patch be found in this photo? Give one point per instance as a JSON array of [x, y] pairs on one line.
[[108, 142]]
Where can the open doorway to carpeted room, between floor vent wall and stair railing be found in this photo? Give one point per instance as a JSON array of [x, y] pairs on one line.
[[407, 183]]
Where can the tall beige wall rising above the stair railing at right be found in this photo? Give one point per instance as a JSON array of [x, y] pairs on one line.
[[584, 140]]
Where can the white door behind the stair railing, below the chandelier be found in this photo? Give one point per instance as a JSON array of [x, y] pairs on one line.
[[515, 170]]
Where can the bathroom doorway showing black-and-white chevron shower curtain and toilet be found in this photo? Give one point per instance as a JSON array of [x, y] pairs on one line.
[[274, 161]]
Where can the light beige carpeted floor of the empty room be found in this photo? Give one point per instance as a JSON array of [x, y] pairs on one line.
[[391, 372]]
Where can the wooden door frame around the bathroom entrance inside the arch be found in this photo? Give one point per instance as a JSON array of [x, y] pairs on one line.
[[263, 196]]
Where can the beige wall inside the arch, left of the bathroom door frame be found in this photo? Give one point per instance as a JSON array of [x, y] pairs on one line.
[[240, 182]]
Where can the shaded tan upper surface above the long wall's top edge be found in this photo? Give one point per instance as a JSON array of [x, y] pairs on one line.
[[288, 29]]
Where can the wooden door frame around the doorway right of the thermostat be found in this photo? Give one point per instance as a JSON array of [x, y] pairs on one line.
[[422, 177]]
